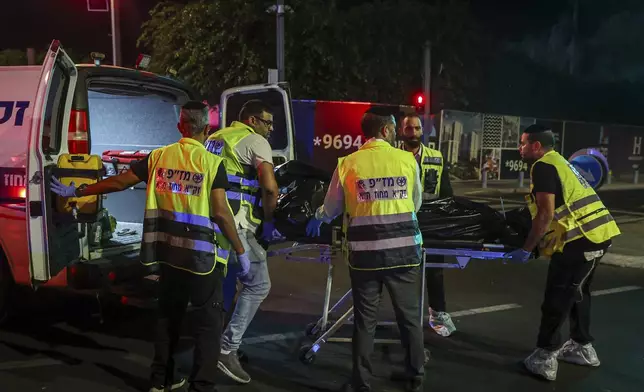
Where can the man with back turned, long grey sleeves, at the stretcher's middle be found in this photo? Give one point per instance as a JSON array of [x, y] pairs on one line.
[[377, 188]]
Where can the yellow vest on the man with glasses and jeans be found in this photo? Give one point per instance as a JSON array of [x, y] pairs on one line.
[[243, 179]]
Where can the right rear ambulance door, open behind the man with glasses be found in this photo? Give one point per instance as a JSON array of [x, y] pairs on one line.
[[276, 96]]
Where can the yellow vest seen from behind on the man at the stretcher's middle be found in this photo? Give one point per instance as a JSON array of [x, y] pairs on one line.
[[380, 225]]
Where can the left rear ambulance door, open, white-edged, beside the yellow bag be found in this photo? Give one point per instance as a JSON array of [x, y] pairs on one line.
[[47, 136]]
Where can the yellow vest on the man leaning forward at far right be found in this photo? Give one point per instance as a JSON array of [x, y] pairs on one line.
[[582, 215]]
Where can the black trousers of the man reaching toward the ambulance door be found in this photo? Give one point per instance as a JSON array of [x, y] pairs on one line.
[[205, 292]]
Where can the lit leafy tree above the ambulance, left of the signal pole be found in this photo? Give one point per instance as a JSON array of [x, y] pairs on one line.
[[210, 44]]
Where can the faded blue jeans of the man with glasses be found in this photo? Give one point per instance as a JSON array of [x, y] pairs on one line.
[[255, 288]]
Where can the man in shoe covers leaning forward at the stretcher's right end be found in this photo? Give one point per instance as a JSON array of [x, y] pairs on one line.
[[570, 223]]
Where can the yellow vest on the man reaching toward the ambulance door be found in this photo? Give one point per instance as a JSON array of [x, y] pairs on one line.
[[177, 229]]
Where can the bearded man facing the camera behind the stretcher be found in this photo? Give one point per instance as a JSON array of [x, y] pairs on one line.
[[434, 179]]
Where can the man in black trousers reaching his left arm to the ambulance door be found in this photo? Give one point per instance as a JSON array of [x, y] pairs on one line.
[[186, 188]]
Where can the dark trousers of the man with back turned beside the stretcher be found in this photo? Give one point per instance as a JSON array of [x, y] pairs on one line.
[[403, 285]]
